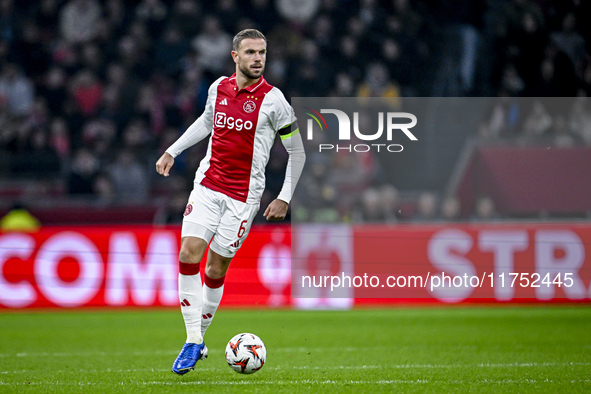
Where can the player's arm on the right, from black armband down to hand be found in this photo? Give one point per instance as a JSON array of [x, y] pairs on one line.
[[292, 141]]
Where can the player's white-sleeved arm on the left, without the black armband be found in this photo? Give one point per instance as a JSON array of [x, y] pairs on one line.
[[200, 129]]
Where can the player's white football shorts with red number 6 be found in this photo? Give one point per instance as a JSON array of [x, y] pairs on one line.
[[219, 219]]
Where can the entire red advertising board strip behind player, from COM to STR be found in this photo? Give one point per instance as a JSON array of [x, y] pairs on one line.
[[329, 266]]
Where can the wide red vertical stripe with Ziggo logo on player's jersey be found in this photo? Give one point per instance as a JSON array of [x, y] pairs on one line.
[[235, 124]]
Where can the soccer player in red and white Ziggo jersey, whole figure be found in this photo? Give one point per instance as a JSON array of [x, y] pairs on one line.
[[243, 114]]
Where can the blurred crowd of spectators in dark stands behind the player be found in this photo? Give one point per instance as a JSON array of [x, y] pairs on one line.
[[92, 92]]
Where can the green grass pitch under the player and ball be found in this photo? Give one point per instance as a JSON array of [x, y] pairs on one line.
[[427, 349]]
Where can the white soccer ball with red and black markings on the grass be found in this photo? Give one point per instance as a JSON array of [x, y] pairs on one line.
[[246, 353]]
